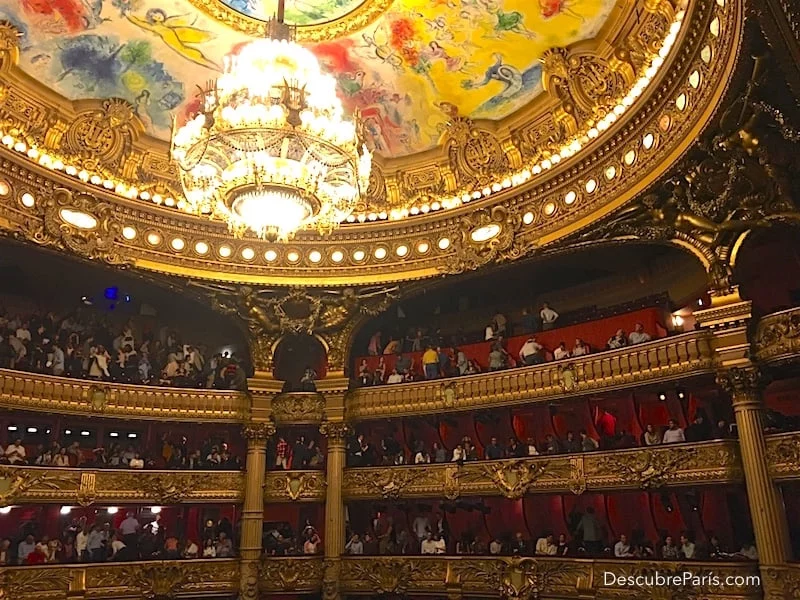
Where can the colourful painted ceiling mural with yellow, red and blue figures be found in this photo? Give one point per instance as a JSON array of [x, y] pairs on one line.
[[480, 55]]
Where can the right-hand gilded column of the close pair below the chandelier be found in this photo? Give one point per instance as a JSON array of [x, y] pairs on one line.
[[336, 432]]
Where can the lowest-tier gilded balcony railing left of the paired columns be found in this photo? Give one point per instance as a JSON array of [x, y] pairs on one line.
[[152, 579]]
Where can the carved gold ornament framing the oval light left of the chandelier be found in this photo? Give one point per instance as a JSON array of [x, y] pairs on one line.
[[97, 243]]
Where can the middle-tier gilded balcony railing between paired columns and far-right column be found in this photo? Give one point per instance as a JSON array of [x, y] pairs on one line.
[[642, 468]]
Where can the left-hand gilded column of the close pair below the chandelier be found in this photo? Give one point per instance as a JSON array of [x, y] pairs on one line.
[[256, 435]]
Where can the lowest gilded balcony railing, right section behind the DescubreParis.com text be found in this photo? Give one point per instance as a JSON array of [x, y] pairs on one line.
[[509, 577]]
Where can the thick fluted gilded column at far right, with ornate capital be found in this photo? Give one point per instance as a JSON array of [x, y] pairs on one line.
[[745, 386]]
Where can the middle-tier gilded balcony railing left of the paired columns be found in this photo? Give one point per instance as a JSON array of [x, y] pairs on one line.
[[28, 485]]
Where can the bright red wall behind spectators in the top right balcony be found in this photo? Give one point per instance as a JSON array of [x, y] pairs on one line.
[[595, 333]]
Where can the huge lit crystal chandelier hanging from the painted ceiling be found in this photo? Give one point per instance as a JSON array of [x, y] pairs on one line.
[[270, 150]]
